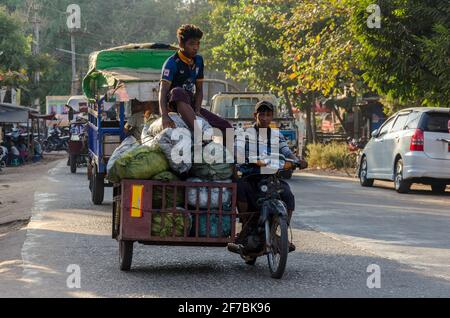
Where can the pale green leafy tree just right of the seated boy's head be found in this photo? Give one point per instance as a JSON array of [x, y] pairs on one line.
[[249, 50]]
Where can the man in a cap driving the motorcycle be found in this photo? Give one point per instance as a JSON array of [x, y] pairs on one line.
[[247, 188]]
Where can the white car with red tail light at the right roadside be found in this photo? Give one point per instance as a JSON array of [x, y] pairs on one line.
[[413, 146]]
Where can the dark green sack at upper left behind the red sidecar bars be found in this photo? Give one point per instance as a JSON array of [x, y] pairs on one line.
[[167, 176]]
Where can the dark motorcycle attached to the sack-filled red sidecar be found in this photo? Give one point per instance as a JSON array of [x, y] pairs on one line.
[[270, 237]]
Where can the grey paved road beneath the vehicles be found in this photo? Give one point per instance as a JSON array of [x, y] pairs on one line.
[[339, 229]]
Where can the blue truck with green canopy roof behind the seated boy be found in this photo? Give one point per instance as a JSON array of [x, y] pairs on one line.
[[121, 82]]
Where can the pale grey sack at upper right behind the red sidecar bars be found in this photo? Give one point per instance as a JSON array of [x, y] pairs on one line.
[[203, 195]]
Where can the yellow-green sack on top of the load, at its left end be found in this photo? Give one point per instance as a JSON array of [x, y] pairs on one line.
[[140, 163]]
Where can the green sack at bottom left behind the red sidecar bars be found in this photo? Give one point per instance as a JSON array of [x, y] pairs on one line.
[[164, 224]]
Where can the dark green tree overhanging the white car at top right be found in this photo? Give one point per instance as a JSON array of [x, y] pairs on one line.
[[408, 58]]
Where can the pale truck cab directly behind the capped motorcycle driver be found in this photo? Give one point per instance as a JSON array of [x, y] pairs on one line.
[[238, 108]]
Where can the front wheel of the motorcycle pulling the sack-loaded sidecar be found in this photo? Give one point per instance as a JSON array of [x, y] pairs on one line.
[[278, 245]]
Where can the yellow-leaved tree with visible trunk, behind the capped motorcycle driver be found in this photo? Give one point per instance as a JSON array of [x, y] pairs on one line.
[[318, 55]]
